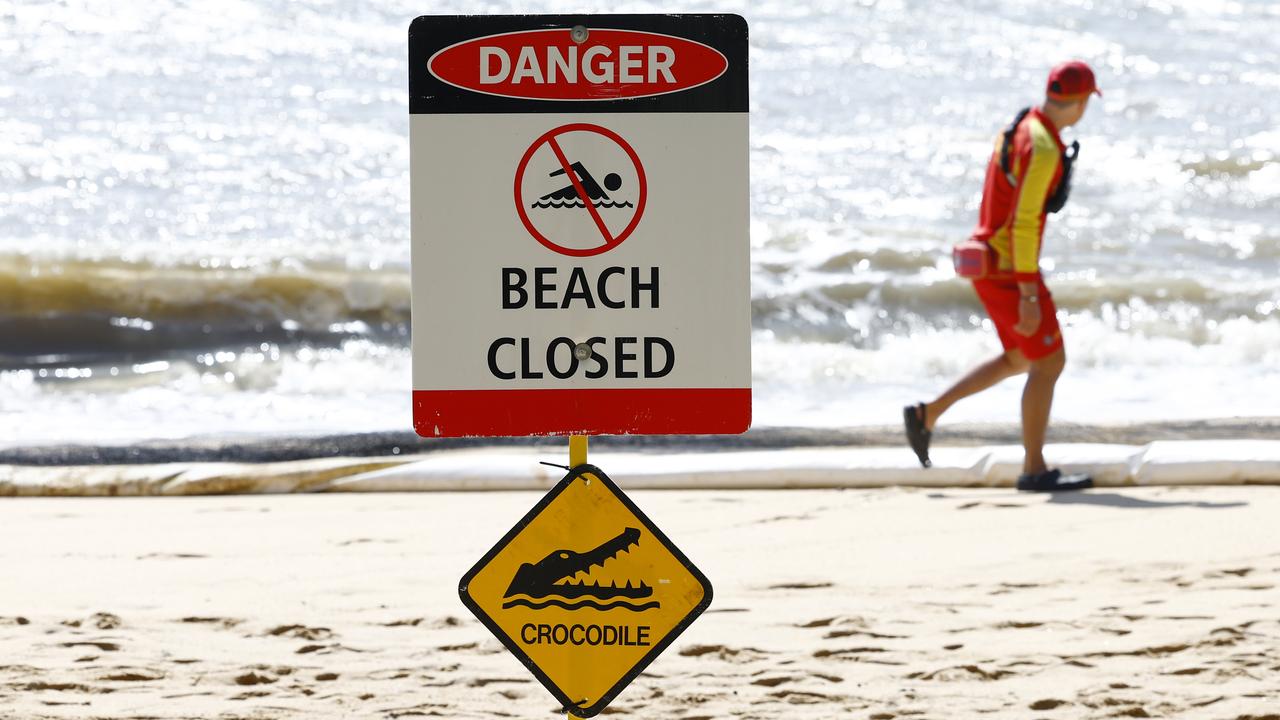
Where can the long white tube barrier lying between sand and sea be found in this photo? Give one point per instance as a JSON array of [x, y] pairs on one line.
[[1164, 463]]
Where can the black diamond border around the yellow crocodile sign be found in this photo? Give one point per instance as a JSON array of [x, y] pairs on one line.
[[570, 705]]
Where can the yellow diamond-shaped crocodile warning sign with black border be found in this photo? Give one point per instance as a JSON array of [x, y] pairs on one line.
[[586, 591]]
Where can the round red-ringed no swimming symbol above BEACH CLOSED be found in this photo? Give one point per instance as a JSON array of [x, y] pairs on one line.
[[580, 190]]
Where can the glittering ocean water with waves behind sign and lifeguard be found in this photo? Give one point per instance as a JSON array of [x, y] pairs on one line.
[[204, 209]]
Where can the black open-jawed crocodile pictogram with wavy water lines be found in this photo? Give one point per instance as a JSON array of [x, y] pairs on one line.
[[551, 581]]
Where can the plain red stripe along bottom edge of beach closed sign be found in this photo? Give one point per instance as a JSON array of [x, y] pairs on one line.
[[509, 413]]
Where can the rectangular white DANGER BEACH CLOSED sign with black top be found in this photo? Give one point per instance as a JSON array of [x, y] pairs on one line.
[[580, 225]]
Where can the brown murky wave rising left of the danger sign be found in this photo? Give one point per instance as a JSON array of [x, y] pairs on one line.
[[84, 312]]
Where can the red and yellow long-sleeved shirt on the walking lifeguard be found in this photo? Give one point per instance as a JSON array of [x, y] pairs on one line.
[[1013, 218]]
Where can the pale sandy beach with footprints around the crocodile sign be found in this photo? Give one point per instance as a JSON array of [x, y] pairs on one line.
[[881, 604]]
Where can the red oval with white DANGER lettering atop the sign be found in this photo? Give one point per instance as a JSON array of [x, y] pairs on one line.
[[547, 65]]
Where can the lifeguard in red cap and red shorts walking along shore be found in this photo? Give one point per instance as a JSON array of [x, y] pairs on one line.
[[1028, 177]]
